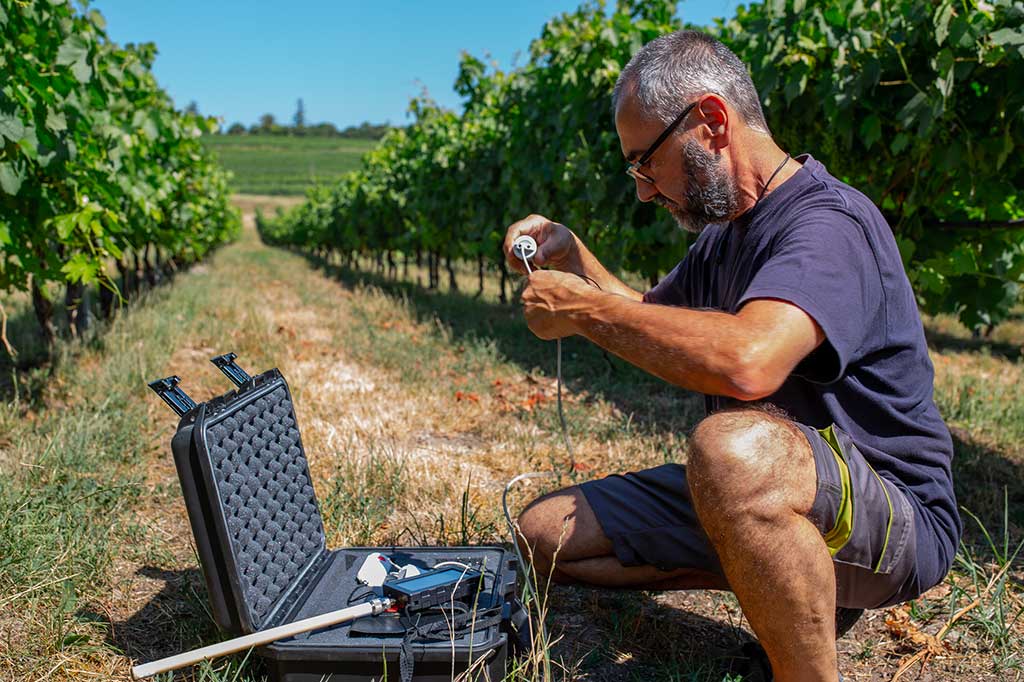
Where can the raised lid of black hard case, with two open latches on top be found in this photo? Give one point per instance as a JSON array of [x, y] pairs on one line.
[[249, 496]]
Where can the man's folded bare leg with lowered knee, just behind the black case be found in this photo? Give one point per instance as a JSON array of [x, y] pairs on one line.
[[563, 529]]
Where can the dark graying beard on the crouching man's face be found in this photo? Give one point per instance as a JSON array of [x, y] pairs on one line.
[[712, 196]]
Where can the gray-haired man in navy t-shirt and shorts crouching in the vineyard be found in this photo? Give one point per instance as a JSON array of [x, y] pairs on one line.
[[822, 476]]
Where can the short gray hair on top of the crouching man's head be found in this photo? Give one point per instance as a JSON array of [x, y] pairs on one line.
[[672, 70]]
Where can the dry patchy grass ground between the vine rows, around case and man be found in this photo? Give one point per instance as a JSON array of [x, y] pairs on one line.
[[416, 407]]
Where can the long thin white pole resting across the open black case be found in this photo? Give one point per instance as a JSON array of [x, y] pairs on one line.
[[372, 608]]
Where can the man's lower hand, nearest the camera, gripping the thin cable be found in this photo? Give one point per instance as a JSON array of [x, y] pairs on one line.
[[550, 301]]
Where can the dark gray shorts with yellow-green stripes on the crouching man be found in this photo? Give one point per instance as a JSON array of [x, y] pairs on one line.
[[867, 522]]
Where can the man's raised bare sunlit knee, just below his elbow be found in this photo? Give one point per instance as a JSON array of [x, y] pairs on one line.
[[745, 461]]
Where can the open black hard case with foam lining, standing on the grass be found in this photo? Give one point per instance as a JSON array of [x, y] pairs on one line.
[[261, 540]]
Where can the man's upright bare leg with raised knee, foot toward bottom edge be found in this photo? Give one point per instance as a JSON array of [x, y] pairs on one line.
[[753, 481]]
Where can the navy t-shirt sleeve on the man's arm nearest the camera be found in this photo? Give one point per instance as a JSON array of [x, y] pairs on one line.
[[826, 266]]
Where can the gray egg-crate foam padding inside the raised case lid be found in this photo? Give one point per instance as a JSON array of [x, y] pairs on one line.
[[263, 479]]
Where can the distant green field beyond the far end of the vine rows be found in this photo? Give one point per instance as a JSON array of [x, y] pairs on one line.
[[283, 165]]
